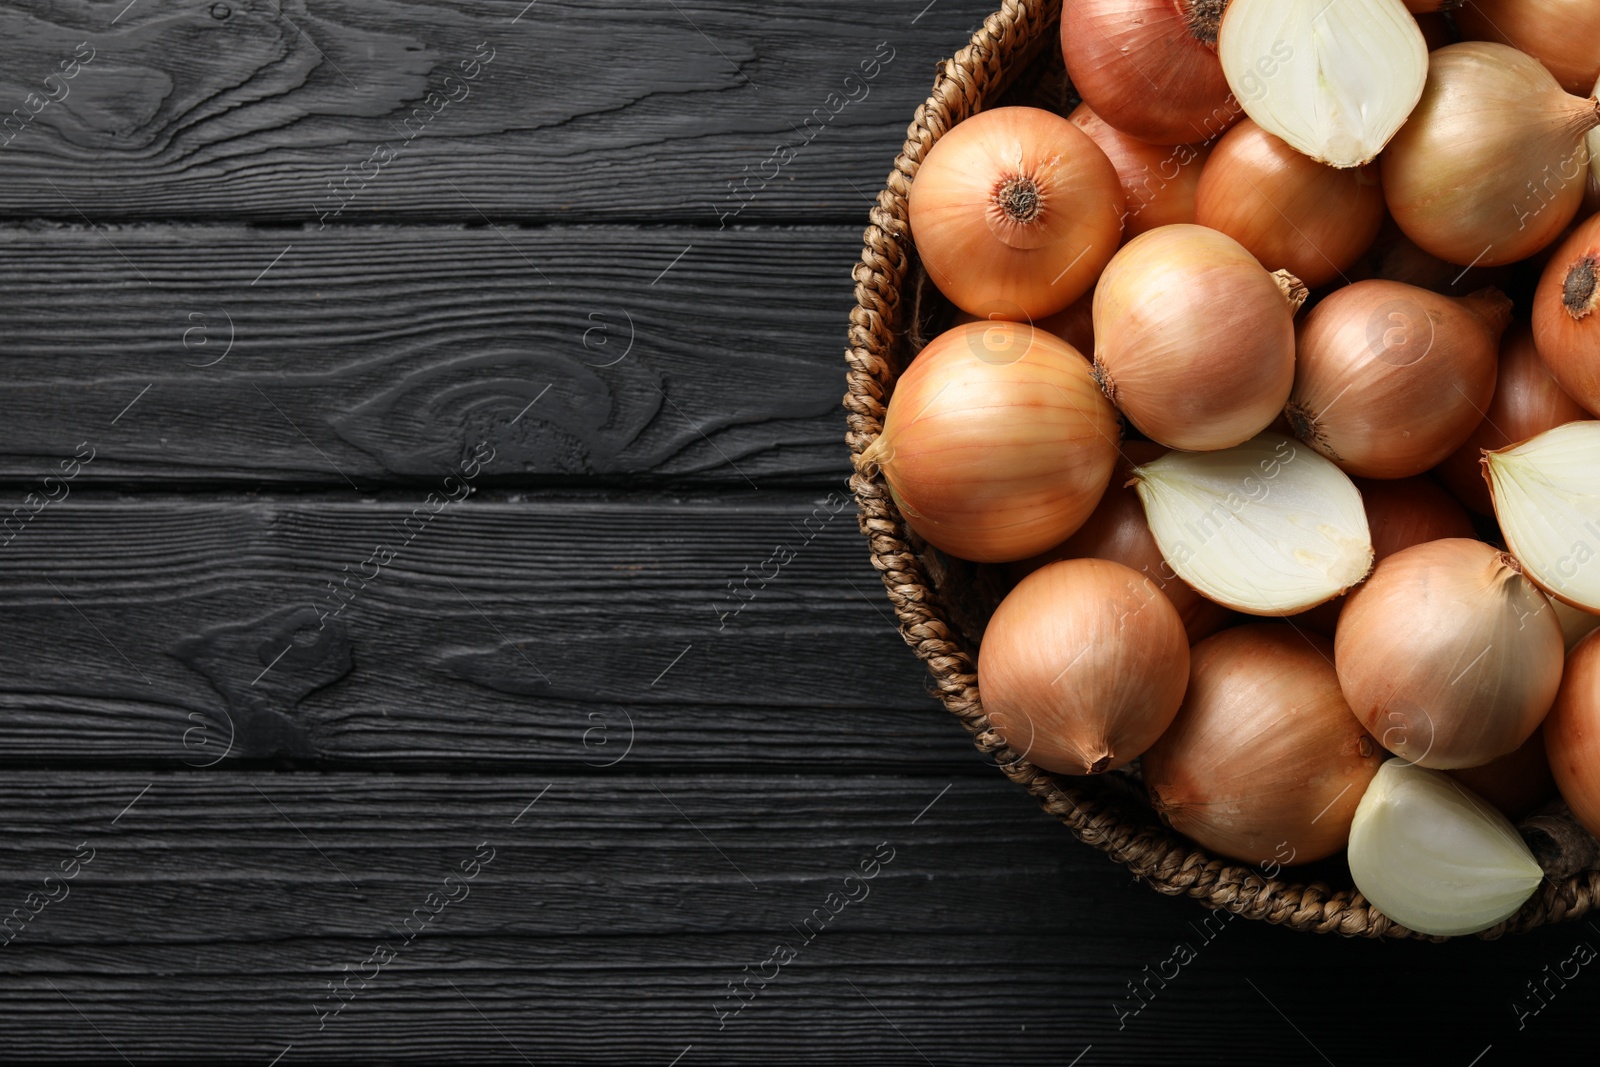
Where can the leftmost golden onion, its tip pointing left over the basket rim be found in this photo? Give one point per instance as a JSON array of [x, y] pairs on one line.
[[998, 444]]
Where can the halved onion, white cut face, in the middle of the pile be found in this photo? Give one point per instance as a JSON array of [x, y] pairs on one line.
[[1268, 527]]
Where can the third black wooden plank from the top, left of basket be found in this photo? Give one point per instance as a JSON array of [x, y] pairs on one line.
[[514, 631]]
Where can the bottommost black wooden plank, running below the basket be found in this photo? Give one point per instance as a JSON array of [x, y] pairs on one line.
[[612, 916]]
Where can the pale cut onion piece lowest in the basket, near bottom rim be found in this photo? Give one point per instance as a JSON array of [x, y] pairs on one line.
[[1434, 857]]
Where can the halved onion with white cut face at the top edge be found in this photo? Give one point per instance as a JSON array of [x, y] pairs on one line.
[[1334, 79]]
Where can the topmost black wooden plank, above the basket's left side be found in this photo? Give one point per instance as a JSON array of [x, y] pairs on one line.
[[454, 111]]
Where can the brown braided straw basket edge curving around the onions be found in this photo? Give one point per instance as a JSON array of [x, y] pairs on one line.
[[1015, 54]]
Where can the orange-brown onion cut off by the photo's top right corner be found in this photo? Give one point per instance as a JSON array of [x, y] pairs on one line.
[[1561, 34]]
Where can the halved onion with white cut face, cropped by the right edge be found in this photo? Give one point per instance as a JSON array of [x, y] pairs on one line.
[[1548, 506]]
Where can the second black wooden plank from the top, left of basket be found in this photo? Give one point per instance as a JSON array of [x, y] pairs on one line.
[[226, 354]]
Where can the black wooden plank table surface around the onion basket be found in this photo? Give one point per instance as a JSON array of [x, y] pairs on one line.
[[434, 626]]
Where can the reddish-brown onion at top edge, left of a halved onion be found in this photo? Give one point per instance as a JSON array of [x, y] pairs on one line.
[[1150, 66]]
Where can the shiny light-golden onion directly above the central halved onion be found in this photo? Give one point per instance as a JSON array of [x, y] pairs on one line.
[[1194, 342]]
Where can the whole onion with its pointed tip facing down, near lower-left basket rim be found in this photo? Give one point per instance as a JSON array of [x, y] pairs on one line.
[[1082, 666]]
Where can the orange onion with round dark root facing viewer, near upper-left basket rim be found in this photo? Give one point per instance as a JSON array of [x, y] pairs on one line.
[[1015, 212]]
